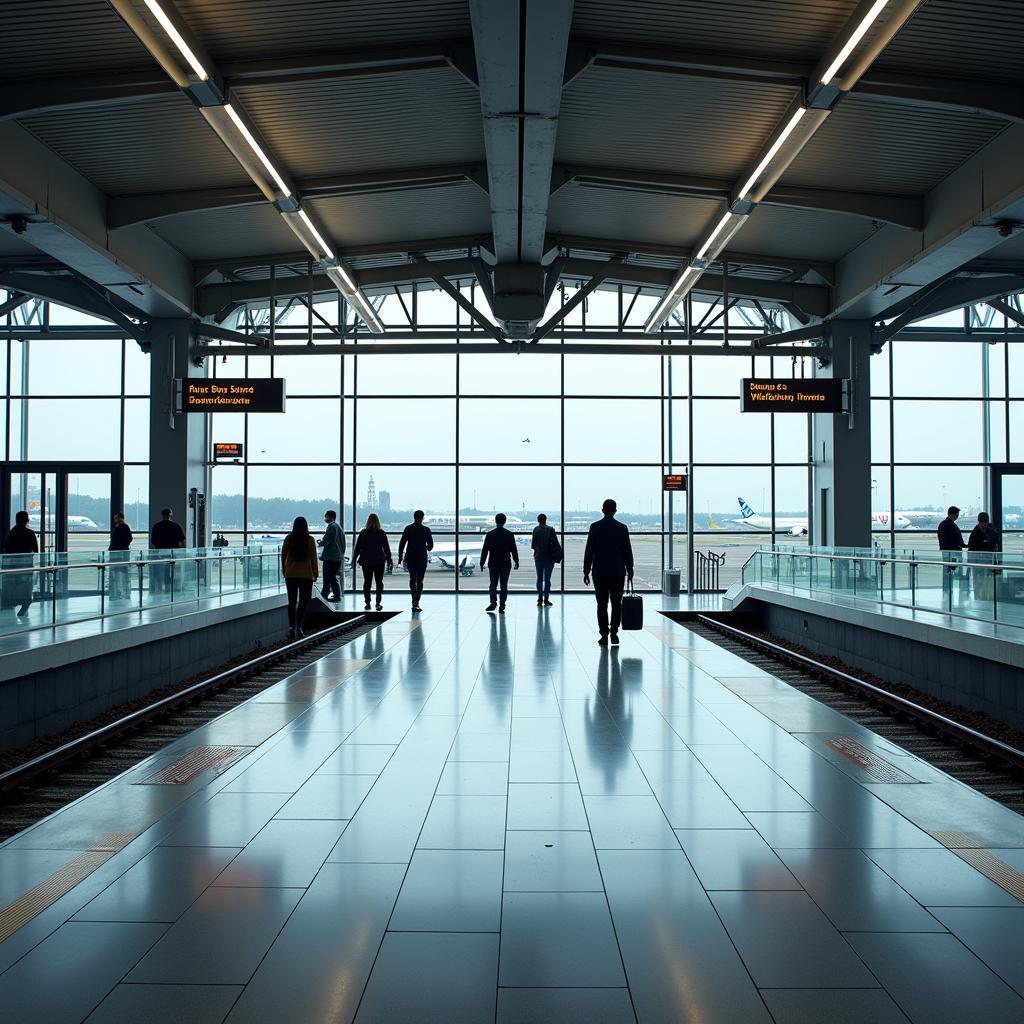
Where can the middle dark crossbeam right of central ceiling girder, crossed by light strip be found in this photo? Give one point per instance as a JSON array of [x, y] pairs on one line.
[[903, 210]]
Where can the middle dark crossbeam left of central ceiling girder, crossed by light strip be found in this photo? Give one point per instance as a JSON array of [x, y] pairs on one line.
[[125, 210]]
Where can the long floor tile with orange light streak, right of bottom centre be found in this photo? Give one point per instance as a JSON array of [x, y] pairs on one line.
[[680, 962]]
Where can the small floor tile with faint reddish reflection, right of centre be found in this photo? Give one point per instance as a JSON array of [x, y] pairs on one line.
[[735, 859]]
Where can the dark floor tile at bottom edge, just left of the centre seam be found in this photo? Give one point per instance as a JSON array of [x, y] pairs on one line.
[[433, 979]]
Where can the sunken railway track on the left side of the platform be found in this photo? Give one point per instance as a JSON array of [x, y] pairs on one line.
[[36, 789]]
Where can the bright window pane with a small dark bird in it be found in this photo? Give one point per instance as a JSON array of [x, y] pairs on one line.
[[510, 431]]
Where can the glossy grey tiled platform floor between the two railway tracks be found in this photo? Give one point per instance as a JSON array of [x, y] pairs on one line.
[[477, 819]]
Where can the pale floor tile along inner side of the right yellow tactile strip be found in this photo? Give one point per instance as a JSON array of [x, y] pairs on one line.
[[940, 878]]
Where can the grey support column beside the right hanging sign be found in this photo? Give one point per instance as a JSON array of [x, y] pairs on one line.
[[841, 447]]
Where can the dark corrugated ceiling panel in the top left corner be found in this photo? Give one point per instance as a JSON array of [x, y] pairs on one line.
[[59, 38]]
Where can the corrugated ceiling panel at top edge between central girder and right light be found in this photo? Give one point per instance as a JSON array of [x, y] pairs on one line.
[[777, 30]]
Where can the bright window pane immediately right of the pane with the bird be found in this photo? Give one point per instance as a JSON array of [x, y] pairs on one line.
[[613, 431]]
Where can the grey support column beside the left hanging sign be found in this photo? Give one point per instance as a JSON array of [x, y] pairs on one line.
[[179, 442]]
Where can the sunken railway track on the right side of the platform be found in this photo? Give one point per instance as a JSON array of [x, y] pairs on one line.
[[987, 764]]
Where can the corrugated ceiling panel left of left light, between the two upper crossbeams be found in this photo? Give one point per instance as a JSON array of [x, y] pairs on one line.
[[158, 146]]
